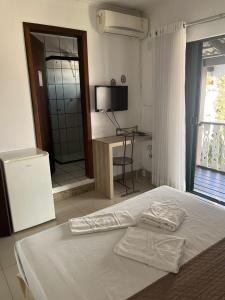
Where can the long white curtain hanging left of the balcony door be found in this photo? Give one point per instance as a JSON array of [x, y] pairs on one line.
[[168, 45]]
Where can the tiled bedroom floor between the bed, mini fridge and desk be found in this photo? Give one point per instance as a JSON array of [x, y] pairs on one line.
[[65, 209]]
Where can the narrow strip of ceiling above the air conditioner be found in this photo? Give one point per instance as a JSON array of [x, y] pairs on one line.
[[134, 4]]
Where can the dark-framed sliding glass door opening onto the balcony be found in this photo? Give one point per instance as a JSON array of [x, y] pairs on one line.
[[205, 120]]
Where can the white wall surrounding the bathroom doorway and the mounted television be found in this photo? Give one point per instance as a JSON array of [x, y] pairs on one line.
[[109, 57]]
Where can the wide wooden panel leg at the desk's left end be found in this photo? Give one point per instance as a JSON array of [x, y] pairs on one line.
[[103, 169]]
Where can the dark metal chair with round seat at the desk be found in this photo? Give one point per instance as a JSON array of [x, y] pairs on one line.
[[128, 135]]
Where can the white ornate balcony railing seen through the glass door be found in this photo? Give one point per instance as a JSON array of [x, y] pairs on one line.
[[211, 145]]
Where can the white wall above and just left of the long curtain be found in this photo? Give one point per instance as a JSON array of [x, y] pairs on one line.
[[165, 13]]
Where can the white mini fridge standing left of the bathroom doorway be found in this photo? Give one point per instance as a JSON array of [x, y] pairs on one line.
[[29, 187]]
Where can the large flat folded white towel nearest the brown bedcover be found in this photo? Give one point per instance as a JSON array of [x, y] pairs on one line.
[[160, 251]]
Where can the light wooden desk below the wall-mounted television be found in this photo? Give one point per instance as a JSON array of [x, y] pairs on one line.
[[103, 162]]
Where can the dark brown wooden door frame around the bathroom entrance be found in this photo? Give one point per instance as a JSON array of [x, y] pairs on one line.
[[84, 83]]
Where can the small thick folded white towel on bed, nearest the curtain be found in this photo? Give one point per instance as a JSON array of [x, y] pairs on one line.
[[166, 215]]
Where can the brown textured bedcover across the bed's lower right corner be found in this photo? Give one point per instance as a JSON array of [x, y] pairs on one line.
[[201, 278]]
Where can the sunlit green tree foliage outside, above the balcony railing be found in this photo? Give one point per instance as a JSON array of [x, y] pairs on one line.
[[220, 100]]
